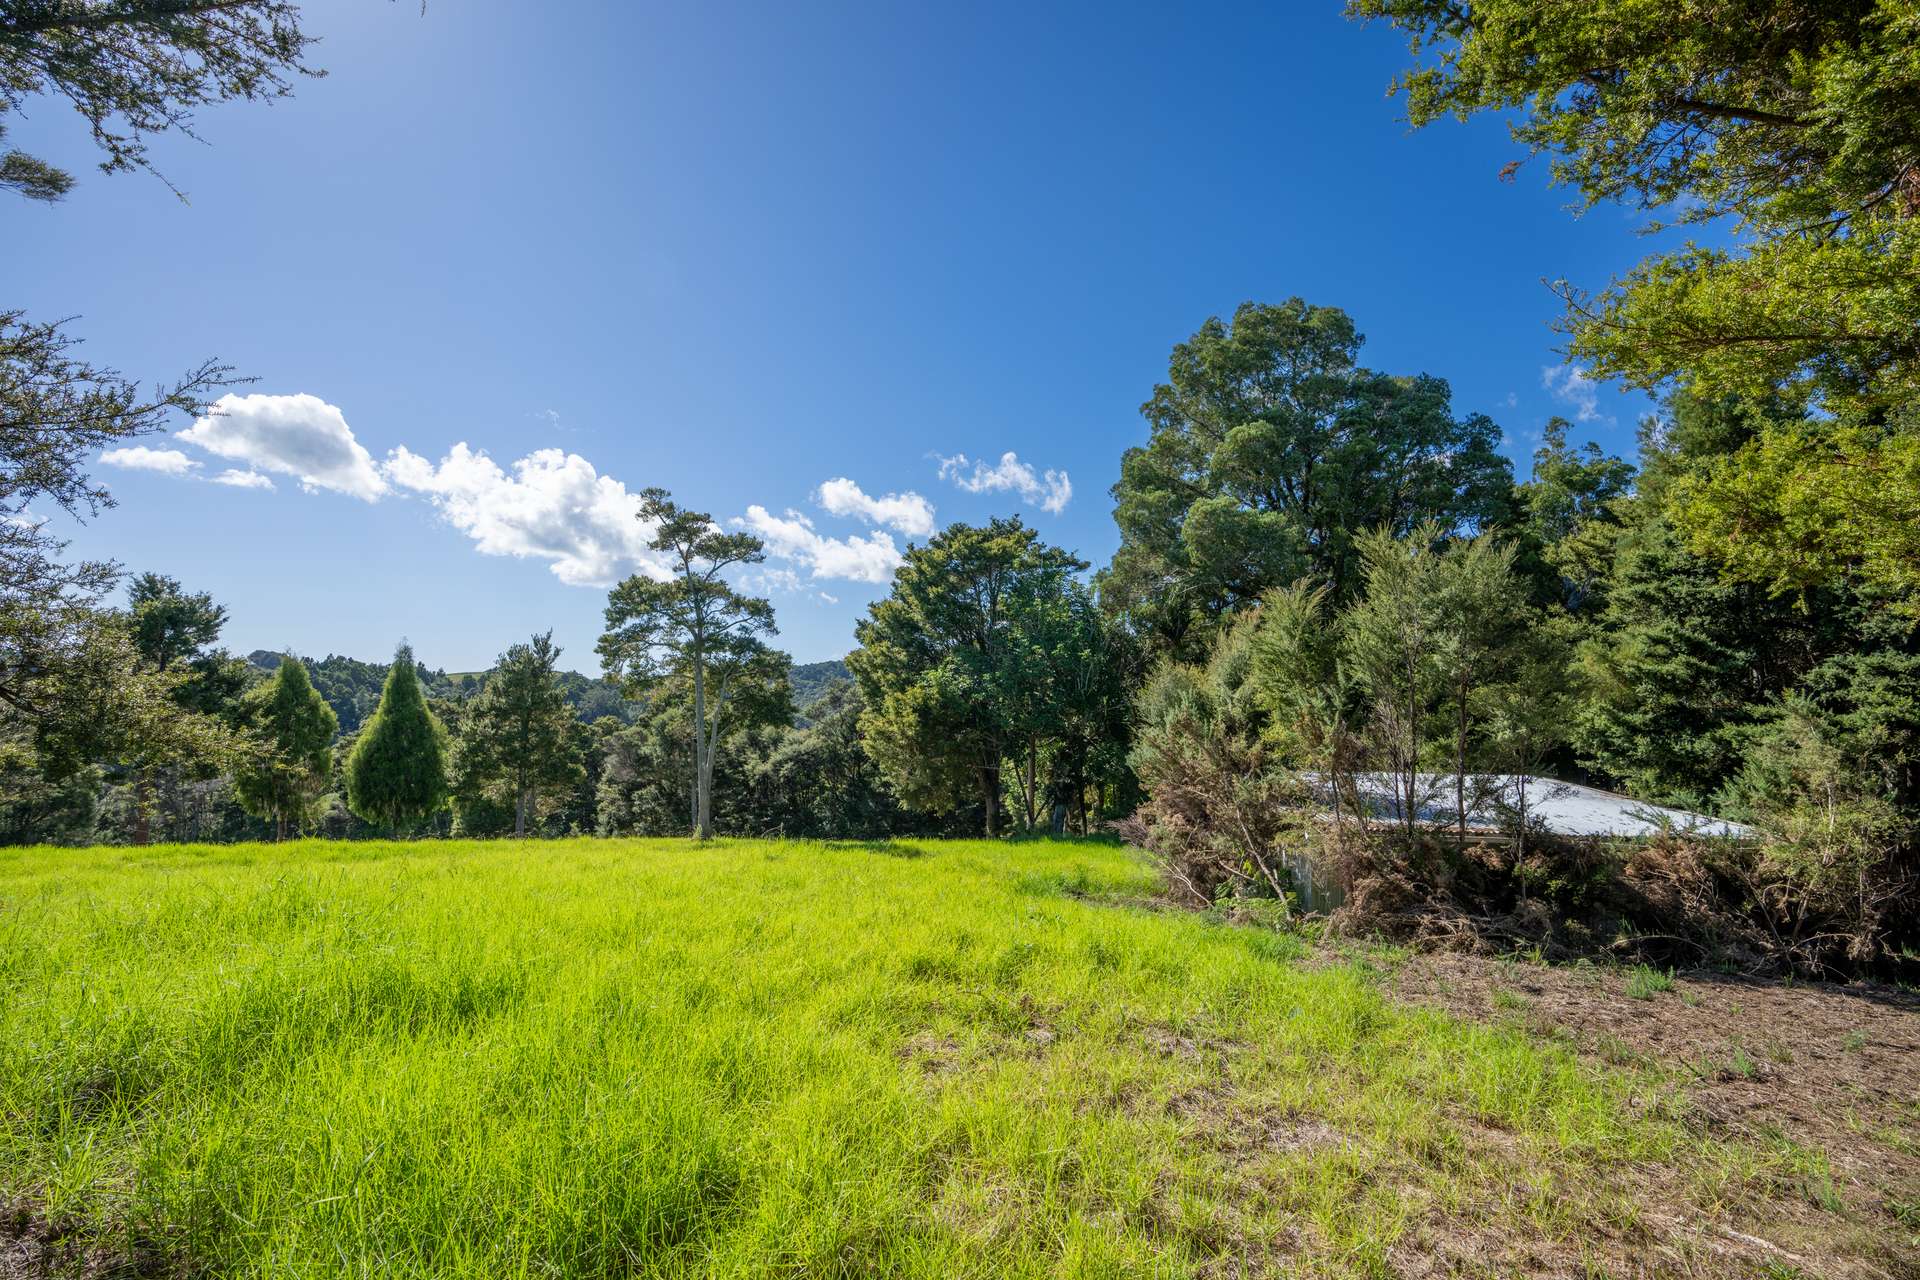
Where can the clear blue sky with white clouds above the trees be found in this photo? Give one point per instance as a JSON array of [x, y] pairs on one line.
[[535, 264]]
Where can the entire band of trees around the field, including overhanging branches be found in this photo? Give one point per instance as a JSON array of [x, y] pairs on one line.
[[1324, 569]]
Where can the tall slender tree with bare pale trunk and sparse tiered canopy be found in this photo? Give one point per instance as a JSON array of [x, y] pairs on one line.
[[692, 628]]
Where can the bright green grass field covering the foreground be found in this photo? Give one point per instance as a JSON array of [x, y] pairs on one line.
[[608, 1058]]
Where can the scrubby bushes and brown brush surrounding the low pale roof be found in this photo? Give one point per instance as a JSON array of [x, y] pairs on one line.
[[1253, 763]]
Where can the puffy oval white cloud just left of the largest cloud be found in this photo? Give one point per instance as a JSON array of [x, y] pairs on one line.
[[289, 435]]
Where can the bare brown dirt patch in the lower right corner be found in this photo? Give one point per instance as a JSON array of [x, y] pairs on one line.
[[1825, 1078]]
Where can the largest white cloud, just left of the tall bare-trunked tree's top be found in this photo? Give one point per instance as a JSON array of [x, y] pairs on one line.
[[554, 508]]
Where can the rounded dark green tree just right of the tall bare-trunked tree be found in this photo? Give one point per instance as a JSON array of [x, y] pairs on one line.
[[953, 665]]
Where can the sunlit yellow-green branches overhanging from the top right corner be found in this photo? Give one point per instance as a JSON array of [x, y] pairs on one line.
[[1794, 120]]
